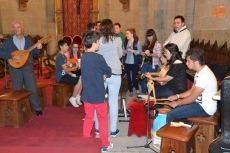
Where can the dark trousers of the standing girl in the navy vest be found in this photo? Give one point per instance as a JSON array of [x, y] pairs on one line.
[[131, 71]]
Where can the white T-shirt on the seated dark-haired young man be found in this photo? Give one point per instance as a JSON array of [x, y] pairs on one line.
[[206, 79]]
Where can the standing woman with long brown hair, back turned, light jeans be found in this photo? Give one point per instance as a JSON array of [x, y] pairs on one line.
[[111, 49]]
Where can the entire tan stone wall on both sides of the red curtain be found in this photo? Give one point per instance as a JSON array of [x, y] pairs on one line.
[[142, 15]]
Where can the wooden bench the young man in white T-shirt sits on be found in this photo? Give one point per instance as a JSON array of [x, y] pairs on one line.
[[206, 133]]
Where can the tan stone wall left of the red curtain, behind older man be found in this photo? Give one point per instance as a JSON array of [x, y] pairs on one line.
[[37, 20]]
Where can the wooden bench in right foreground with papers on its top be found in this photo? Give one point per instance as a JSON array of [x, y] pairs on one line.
[[177, 139]]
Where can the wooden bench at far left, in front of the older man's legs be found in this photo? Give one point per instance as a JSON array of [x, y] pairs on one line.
[[15, 108]]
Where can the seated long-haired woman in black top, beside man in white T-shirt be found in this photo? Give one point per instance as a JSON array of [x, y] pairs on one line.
[[175, 78]]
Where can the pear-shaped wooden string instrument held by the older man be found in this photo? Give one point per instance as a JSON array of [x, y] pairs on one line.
[[24, 54]]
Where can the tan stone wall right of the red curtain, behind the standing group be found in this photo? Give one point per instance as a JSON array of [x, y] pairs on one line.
[[159, 15]]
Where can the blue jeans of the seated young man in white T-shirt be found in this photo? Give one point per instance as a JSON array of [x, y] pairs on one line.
[[191, 110]]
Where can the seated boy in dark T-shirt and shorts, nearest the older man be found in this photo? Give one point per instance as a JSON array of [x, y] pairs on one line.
[[64, 75]]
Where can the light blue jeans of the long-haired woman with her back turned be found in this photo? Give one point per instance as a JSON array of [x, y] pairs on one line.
[[113, 83]]
